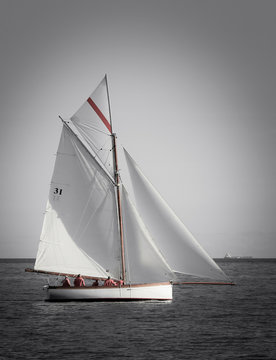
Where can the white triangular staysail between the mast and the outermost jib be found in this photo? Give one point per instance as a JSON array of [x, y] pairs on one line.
[[145, 263]]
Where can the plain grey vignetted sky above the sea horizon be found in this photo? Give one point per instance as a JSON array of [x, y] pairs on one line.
[[192, 85]]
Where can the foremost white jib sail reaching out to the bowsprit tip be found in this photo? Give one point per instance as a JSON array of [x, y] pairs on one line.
[[177, 244]]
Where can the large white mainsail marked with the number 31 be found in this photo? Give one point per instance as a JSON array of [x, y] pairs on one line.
[[80, 231]]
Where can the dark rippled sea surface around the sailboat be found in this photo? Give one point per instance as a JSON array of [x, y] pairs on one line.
[[202, 322]]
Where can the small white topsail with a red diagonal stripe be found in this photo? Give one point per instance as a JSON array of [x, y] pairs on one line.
[[92, 121]]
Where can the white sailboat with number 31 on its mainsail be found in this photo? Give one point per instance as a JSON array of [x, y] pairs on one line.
[[92, 227]]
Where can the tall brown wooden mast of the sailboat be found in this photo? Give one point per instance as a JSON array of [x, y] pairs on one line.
[[117, 181]]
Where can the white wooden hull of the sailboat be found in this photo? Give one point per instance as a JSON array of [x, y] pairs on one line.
[[160, 291]]
